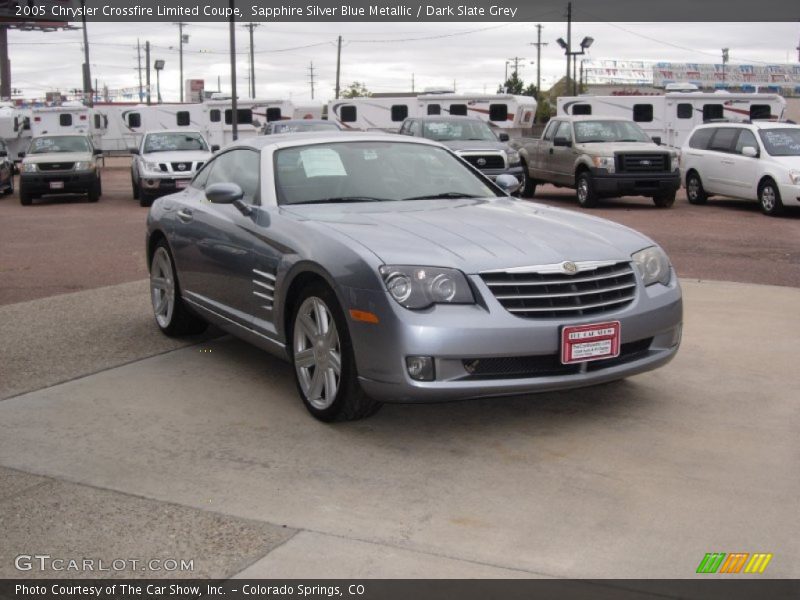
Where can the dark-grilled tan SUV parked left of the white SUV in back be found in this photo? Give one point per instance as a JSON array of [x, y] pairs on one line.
[[60, 164]]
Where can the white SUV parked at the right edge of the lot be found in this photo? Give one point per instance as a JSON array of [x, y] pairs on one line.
[[755, 161]]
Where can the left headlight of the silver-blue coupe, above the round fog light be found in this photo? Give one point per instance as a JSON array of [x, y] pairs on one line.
[[420, 287]]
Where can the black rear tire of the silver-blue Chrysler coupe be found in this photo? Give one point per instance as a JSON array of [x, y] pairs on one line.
[[180, 320]]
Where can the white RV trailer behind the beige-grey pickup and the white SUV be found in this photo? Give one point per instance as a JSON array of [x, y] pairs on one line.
[[672, 116]]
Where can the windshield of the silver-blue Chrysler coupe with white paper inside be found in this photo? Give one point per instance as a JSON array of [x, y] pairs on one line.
[[373, 172]]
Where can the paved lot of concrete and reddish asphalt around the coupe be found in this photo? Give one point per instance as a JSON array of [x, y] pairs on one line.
[[115, 442]]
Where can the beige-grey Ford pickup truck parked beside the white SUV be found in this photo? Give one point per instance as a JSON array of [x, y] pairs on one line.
[[600, 157]]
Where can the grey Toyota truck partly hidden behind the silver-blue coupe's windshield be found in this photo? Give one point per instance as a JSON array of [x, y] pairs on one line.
[[470, 138]]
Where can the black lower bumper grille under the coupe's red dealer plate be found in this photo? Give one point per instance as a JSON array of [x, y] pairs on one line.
[[548, 365]]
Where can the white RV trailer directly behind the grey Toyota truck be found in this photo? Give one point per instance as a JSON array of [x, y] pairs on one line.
[[508, 112]]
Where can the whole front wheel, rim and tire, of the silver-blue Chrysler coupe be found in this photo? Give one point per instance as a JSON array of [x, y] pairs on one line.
[[324, 363]]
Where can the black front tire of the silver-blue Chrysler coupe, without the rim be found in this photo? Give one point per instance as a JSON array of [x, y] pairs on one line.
[[349, 401]]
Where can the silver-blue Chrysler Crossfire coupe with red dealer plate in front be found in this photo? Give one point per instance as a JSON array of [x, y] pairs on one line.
[[386, 269]]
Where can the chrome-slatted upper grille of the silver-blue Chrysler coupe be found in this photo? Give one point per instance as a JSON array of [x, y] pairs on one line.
[[535, 295]]
